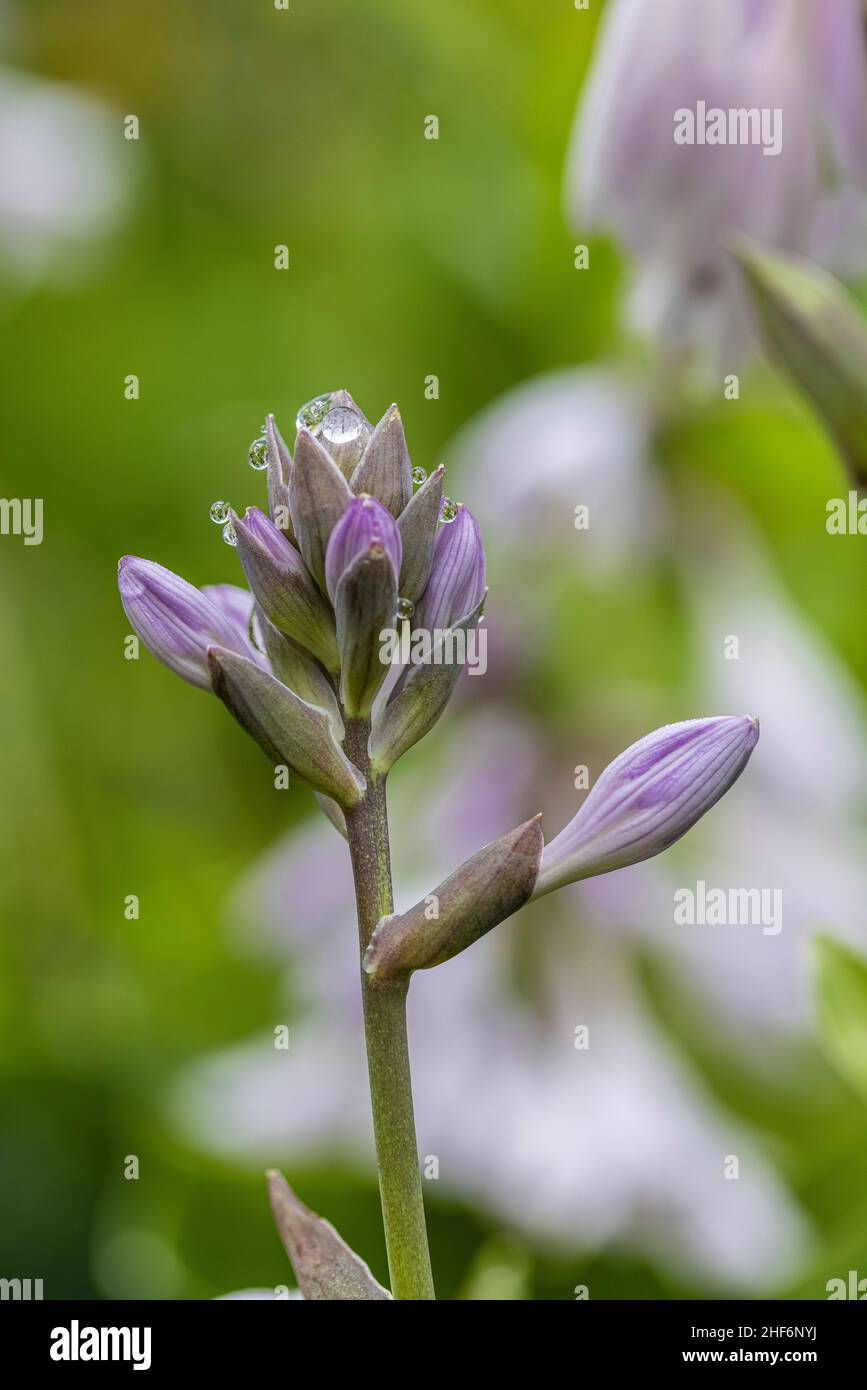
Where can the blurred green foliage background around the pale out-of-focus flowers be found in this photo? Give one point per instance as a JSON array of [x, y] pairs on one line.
[[408, 258]]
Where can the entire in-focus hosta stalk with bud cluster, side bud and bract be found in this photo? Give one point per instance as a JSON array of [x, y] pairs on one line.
[[326, 584]]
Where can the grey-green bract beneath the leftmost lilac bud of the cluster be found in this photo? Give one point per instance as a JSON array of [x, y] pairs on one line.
[[286, 728]]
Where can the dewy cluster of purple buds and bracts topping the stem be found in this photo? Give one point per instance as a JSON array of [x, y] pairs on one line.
[[324, 568]]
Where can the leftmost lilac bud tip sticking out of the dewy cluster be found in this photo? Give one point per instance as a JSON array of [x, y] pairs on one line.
[[177, 622]]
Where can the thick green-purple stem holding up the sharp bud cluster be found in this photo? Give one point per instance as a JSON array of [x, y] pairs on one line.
[[388, 1058]]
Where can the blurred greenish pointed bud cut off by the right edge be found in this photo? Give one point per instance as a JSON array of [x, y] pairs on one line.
[[818, 337]]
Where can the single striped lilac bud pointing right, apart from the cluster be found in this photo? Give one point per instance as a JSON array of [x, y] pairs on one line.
[[650, 797]]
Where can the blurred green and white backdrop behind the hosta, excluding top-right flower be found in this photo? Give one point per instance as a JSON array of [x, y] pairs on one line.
[[408, 259]]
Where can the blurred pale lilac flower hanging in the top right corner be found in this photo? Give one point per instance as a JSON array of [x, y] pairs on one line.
[[673, 205]]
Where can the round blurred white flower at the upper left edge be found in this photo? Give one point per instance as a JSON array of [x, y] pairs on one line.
[[67, 177]]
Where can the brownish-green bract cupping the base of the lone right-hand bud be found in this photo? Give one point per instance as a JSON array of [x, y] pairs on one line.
[[483, 893]]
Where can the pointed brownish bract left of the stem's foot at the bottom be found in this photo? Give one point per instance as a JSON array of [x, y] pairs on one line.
[[324, 1266]]
